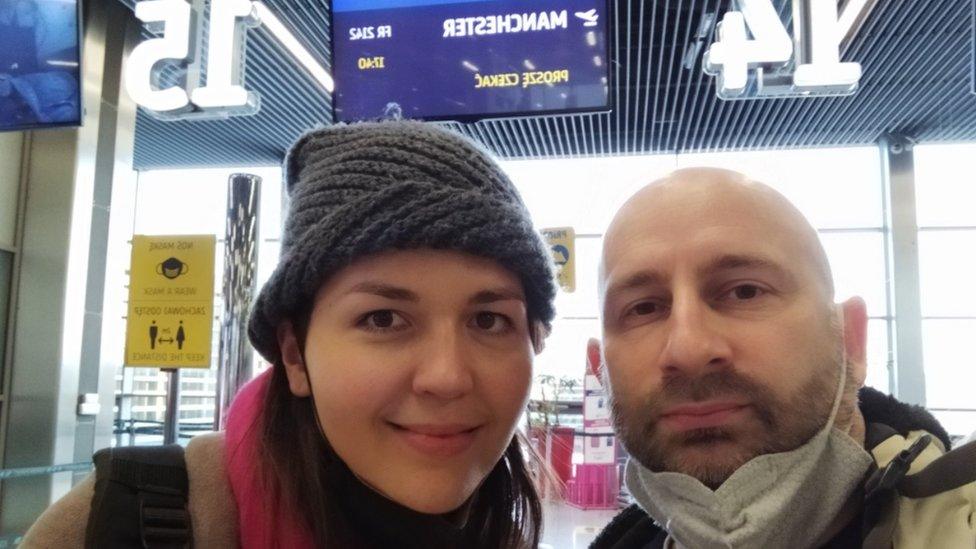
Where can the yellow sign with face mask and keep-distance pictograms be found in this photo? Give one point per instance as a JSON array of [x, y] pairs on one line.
[[171, 293]]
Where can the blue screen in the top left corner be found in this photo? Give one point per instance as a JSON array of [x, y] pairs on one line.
[[40, 59]]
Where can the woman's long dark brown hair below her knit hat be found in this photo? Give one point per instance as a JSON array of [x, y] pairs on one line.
[[505, 511]]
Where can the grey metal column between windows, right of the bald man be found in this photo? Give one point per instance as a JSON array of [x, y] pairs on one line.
[[898, 171]]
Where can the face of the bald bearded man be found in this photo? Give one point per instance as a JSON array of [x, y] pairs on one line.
[[719, 341]]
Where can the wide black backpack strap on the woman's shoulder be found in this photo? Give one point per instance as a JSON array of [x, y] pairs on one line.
[[140, 499]]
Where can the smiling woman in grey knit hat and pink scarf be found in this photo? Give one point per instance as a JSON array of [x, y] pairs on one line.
[[409, 299]]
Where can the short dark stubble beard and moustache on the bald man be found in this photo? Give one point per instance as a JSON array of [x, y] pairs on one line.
[[713, 454]]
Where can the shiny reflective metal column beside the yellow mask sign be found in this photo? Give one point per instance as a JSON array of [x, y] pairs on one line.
[[240, 284]]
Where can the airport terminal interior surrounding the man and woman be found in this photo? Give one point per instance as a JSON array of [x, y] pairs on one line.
[[132, 131]]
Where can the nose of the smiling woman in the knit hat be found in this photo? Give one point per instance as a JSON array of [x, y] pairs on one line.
[[444, 368]]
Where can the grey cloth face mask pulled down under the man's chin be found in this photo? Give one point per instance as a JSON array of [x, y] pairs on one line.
[[783, 500]]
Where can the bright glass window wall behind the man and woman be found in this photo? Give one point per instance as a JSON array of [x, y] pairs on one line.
[[839, 190]]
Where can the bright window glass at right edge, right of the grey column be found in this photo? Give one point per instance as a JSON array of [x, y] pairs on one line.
[[946, 215]]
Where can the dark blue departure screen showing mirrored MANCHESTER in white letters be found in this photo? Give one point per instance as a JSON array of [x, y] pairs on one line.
[[468, 59]]
